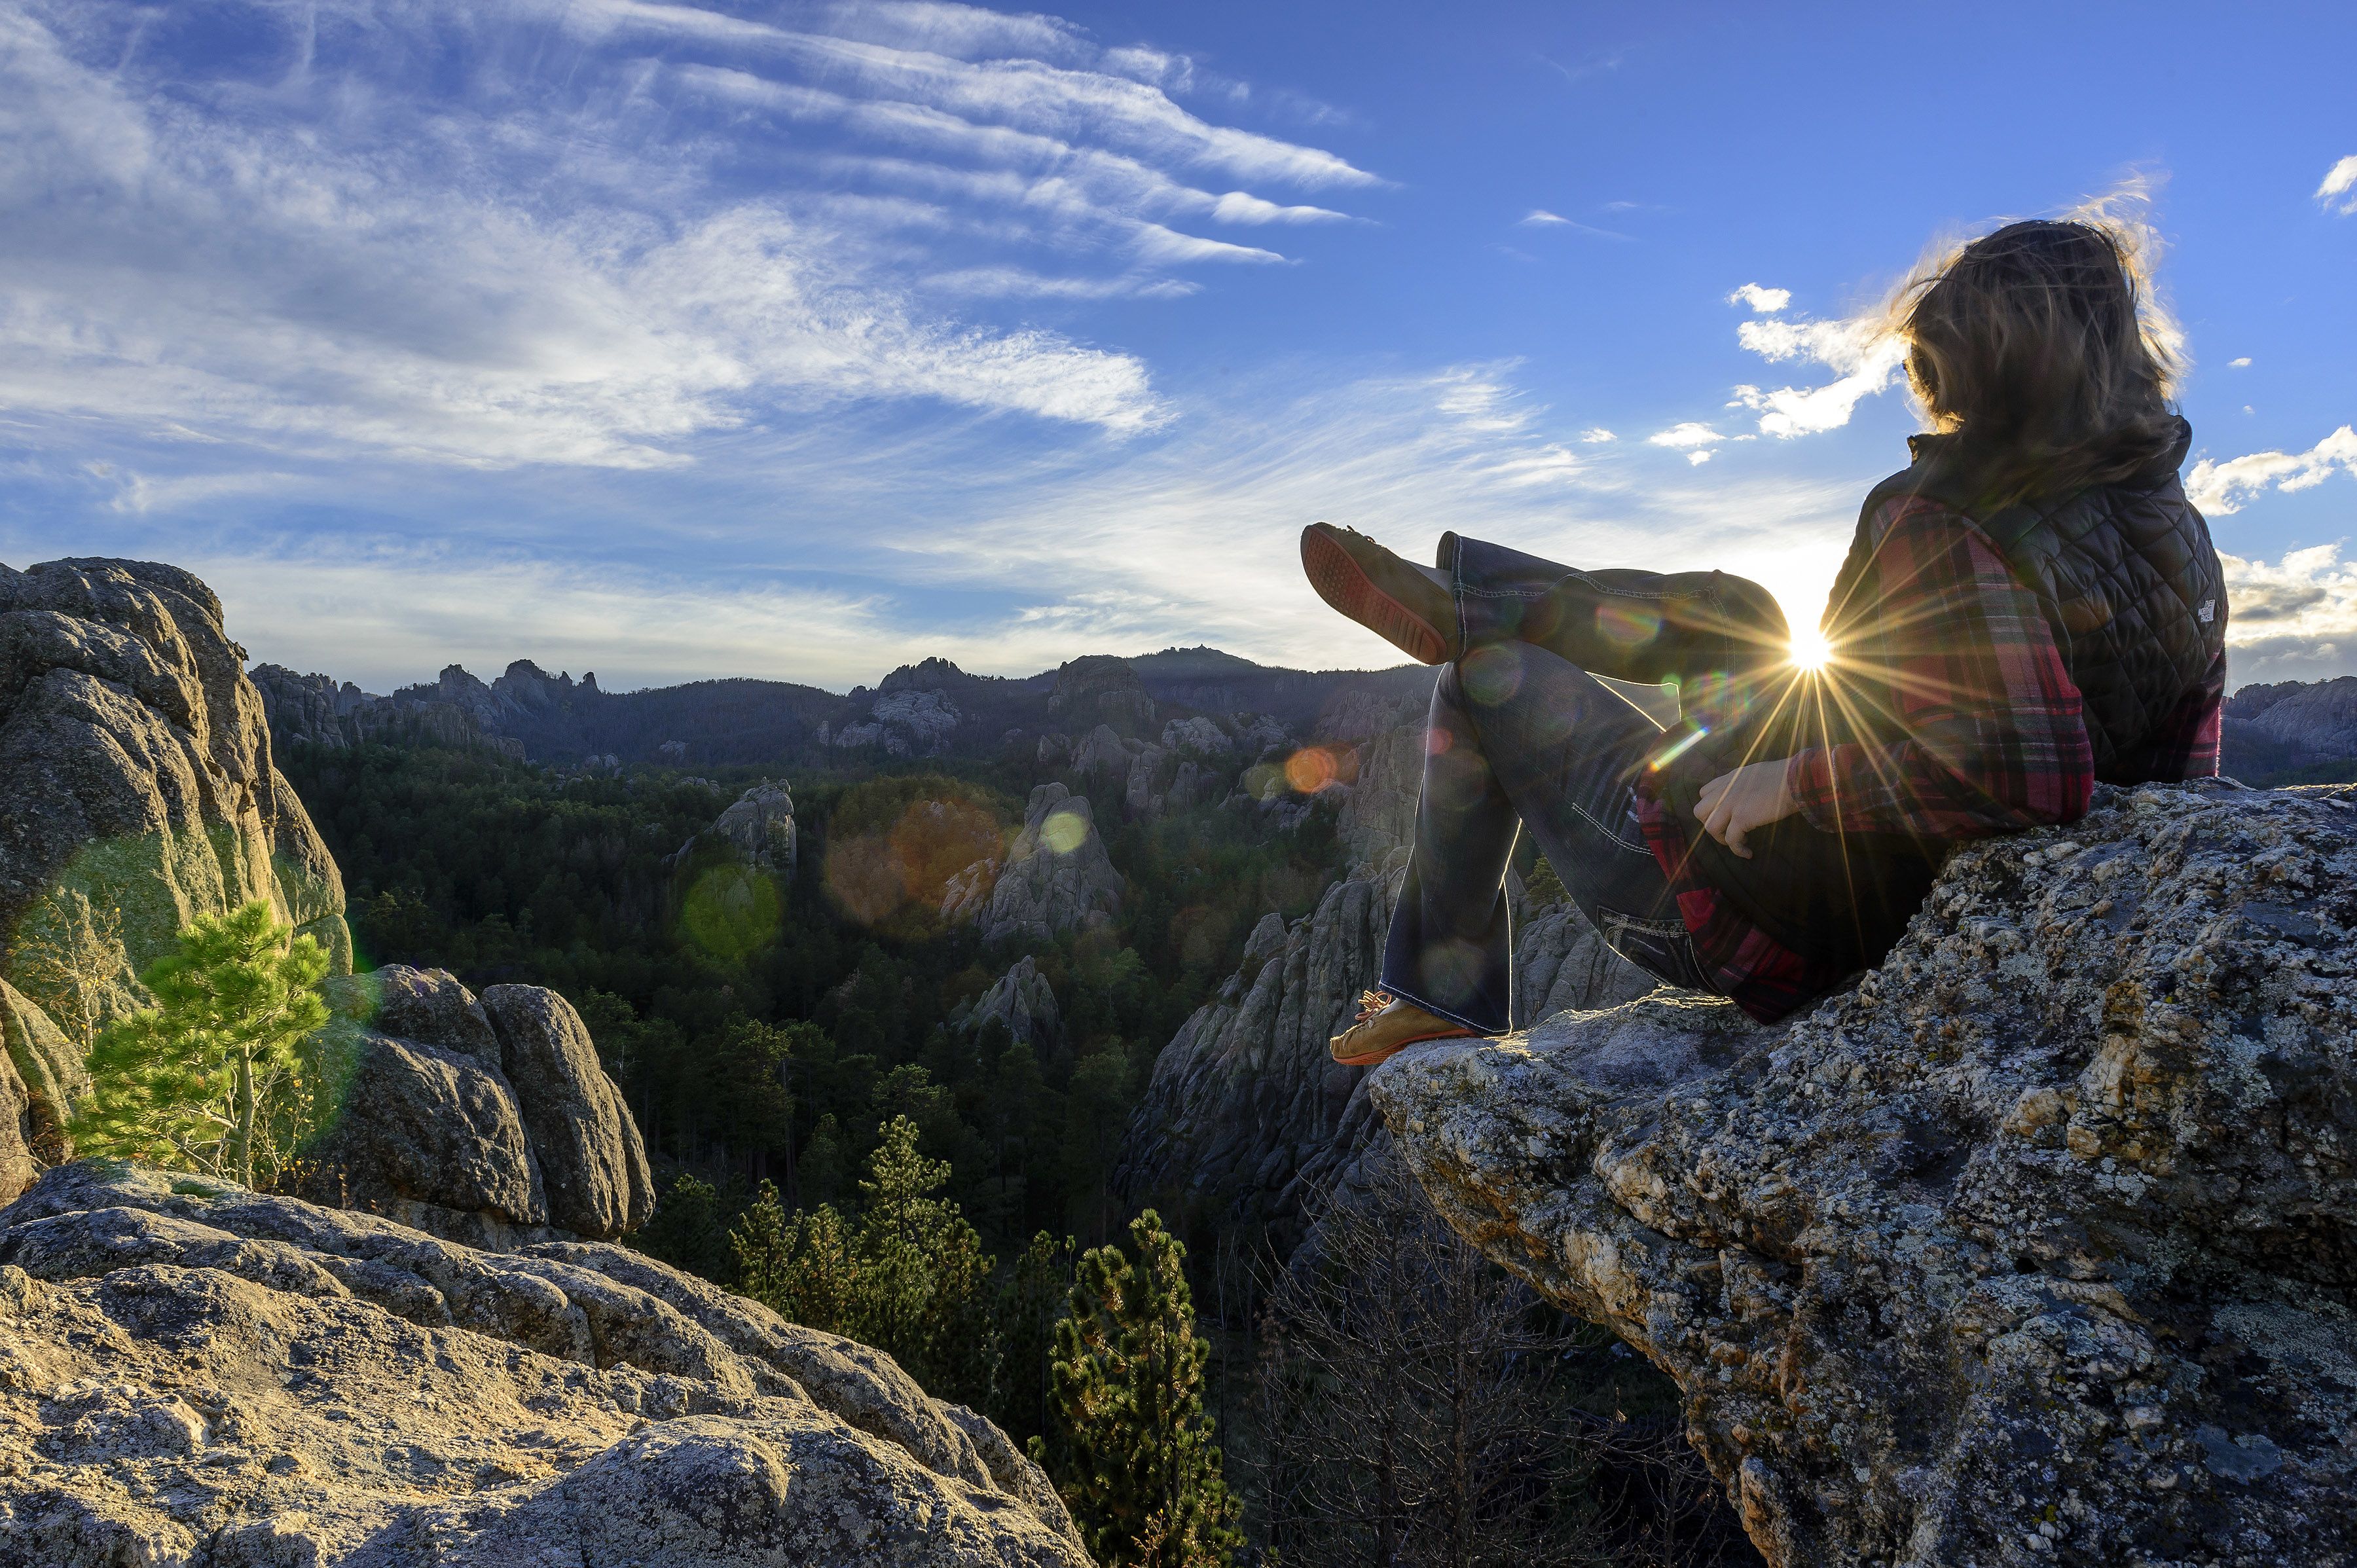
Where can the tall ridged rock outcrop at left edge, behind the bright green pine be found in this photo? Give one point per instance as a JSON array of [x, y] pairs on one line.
[[140, 793]]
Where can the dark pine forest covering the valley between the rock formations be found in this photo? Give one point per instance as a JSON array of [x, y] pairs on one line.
[[765, 1027]]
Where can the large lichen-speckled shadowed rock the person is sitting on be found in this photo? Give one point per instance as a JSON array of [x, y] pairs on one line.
[[2038, 1246]]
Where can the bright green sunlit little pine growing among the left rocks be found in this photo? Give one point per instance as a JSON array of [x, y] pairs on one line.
[[225, 1074]]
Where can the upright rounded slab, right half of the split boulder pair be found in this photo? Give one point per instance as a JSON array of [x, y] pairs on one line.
[[590, 1157]]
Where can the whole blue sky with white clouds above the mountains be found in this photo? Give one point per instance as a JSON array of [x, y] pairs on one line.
[[803, 341]]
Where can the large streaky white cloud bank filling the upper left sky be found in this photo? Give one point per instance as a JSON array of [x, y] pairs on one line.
[[583, 258]]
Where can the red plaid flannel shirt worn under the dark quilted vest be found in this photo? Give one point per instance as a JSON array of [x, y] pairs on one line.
[[1957, 659]]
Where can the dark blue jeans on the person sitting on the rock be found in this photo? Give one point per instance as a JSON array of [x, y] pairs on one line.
[[1521, 734]]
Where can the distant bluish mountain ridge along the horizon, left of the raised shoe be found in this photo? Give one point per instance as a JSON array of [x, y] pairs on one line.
[[925, 709]]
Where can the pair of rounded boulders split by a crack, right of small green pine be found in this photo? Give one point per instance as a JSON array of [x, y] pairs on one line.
[[482, 1121]]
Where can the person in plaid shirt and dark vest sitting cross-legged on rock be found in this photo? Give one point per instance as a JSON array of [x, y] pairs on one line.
[[2028, 610]]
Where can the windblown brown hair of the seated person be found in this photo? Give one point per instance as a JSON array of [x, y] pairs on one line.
[[2042, 357]]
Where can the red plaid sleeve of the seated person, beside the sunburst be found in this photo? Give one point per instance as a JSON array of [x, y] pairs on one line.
[[1993, 737]]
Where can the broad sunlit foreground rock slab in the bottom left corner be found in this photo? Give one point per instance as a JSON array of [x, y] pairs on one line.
[[192, 1373]]
